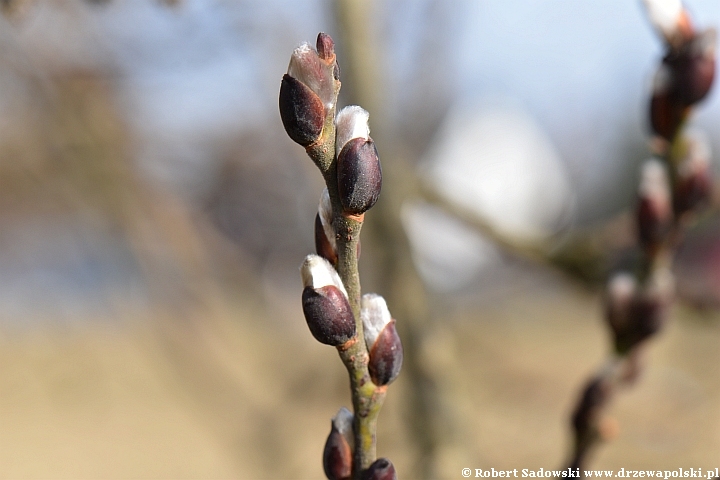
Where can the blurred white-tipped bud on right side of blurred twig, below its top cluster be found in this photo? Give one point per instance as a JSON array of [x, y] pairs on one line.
[[693, 183]]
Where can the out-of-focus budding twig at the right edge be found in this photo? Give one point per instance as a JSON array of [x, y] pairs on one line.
[[674, 188]]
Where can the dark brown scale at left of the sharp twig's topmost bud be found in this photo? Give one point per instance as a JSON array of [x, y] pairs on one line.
[[301, 110]]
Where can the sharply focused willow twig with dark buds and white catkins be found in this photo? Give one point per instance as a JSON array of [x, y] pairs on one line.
[[360, 327]]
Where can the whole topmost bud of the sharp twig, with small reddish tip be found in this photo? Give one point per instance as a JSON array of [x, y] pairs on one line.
[[308, 91]]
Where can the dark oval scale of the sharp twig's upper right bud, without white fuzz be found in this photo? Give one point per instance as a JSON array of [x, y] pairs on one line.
[[359, 175]]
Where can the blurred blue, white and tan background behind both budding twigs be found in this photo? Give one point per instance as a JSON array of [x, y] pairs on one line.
[[153, 216]]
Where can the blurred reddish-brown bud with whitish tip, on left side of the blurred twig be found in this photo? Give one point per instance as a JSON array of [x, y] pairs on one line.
[[654, 214]]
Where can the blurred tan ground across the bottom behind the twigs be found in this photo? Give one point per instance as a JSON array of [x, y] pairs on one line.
[[225, 394]]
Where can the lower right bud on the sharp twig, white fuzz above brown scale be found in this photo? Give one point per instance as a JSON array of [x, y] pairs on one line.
[[382, 340]]
